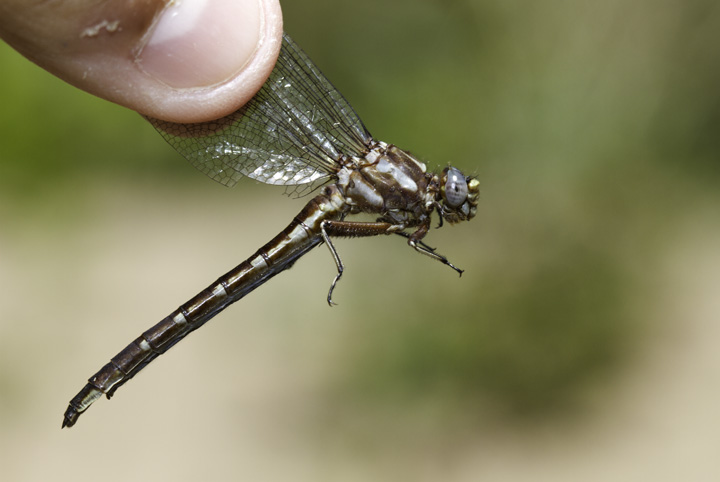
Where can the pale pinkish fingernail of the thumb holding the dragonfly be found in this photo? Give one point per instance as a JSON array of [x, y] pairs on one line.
[[200, 43]]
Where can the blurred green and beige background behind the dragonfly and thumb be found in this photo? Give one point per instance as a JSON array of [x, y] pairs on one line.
[[578, 345]]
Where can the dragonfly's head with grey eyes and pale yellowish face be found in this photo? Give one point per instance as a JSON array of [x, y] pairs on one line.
[[458, 196]]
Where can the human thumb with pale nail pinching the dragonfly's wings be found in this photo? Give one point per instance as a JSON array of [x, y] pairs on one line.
[[179, 61]]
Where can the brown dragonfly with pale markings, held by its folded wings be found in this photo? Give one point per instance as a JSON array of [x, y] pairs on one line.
[[297, 131]]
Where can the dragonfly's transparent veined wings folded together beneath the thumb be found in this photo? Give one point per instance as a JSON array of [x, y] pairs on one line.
[[292, 132]]
